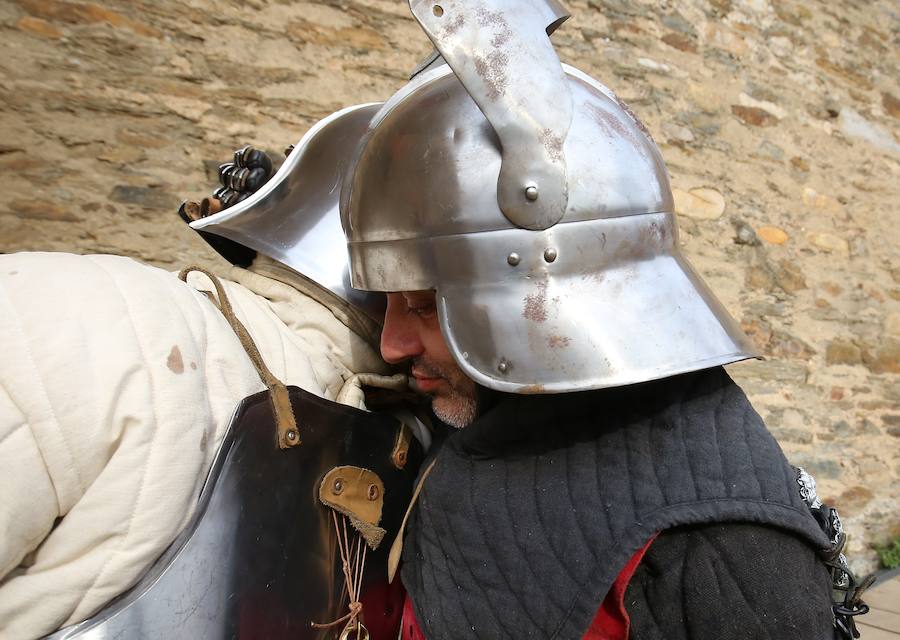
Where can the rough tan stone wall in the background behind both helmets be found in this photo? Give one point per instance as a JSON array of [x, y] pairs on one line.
[[778, 119]]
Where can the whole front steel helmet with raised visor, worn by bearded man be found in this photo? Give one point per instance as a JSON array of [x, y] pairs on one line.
[[536, 205]]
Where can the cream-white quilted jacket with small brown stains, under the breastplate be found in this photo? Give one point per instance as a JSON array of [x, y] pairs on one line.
[[117, 382]]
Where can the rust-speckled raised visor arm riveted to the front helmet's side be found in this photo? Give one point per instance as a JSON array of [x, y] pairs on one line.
[[500, 50]]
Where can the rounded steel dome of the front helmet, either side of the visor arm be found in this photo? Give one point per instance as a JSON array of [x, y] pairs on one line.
[[430, 164]]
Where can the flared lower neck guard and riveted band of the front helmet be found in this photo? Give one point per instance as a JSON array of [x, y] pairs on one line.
[[618, 305]]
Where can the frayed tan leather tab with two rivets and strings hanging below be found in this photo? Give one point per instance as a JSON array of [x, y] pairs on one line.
[[359, 494]]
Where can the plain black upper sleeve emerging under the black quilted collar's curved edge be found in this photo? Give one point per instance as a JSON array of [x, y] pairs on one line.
[[734, 581]]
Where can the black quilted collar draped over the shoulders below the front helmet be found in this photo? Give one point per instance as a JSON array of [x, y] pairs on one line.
[[530, 513]]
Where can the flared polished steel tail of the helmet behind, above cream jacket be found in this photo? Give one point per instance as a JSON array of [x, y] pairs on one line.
[[294, 217]]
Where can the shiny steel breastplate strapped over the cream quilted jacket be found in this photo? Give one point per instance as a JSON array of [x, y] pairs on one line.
[[259, 558]]
